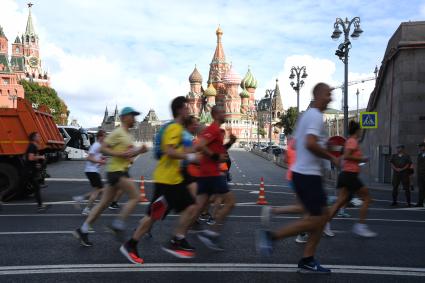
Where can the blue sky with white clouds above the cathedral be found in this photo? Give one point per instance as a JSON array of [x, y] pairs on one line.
[[140, 53]]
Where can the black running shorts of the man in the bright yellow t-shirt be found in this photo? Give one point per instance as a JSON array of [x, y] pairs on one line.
[[177, 196]]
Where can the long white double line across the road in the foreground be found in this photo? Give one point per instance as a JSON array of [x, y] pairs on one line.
[[202, 267]]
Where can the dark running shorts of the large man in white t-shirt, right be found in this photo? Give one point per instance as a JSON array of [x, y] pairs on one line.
[[310, 192]]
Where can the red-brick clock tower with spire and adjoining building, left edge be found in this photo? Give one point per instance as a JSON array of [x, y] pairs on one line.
[[24, 64]]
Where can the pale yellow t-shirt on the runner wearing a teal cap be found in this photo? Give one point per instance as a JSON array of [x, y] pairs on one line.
[[119, 140]]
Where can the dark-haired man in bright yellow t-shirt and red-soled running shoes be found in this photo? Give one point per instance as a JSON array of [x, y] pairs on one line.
[[171, 192]]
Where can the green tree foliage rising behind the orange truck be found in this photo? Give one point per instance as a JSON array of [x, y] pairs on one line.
[[43, 95]]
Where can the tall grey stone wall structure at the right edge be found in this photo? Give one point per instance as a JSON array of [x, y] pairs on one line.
[[399, 99]]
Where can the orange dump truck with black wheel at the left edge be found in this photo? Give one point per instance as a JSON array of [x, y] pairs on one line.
[[15, 126]]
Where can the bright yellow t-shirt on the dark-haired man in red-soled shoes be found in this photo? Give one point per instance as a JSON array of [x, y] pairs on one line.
[[167, 170]]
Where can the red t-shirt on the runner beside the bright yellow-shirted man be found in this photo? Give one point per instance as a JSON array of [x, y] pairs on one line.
[[214, 137]]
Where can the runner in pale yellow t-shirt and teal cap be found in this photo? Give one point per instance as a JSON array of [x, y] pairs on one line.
[[119, 145]]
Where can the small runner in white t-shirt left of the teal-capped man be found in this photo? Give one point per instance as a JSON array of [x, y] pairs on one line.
[[95, 160]]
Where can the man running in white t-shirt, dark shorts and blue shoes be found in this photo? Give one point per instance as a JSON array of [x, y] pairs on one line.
[[307, 170]]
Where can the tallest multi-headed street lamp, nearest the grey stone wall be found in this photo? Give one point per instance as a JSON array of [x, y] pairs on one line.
[[342, 53]]
